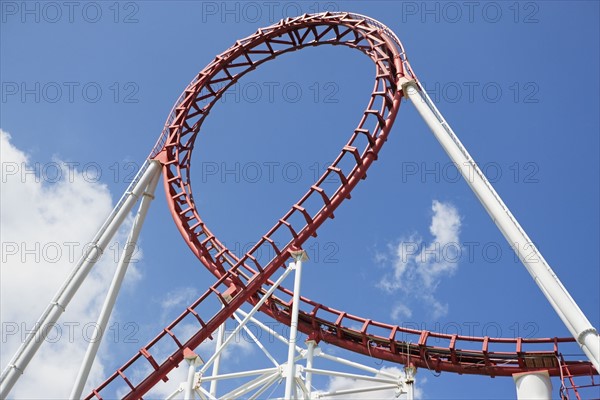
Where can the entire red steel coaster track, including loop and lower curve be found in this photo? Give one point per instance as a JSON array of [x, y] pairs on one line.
[[244, 279]]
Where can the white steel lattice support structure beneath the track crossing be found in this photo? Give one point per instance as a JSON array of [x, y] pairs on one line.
[[296, 373]]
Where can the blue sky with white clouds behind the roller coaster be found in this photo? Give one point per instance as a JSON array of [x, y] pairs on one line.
[[518, 82]]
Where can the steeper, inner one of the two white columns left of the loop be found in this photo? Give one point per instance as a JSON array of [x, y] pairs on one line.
[[114, 288]]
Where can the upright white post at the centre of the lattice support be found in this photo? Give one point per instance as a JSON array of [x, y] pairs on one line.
[[299, 256]]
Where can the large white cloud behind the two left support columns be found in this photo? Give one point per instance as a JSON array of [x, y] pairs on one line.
[[46, 224]]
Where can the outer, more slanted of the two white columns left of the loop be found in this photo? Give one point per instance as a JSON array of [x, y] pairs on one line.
[[57, 306]]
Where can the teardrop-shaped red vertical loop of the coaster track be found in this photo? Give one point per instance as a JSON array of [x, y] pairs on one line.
[[175, 146]]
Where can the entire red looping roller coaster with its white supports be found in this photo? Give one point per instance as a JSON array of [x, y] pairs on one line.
[[247, 280]]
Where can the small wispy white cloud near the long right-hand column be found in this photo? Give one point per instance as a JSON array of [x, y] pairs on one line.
[[419, 267]]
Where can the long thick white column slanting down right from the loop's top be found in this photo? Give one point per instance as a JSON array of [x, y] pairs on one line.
[[562, 302]]
